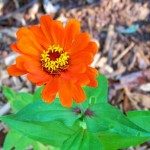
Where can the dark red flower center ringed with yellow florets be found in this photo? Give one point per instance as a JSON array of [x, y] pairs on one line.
[[54, 60]]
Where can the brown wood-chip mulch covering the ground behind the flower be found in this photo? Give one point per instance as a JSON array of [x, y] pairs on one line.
[[121, 29]]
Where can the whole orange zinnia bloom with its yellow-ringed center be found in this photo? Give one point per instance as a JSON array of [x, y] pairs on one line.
[[57, 57]]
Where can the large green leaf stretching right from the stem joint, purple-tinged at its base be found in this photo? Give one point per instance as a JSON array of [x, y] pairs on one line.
[[108, 118]]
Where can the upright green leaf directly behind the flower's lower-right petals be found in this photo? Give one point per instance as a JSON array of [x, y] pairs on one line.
[[98, 94]]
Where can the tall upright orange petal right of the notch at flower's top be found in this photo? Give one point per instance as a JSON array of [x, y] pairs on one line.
[[72, 29]]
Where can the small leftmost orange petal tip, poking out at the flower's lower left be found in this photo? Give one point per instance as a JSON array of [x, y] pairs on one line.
[[14, 71]]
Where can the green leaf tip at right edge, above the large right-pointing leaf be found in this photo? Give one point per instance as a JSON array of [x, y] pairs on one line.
[[141, 118]]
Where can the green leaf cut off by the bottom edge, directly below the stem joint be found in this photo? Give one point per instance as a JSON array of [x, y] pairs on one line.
[[82, 140]]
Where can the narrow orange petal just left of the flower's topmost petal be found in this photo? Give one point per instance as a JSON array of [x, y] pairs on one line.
[[37, 31]]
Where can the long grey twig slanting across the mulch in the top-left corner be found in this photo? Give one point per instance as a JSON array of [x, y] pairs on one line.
[[18, 10]]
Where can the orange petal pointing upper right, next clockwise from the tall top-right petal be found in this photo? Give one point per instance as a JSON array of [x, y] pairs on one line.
[[80, 42]]
